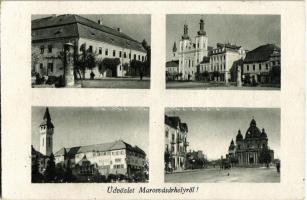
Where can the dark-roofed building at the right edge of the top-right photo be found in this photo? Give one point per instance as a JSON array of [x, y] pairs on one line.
[[259, 62]]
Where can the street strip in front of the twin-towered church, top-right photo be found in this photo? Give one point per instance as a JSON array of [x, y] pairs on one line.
[[212, 86]]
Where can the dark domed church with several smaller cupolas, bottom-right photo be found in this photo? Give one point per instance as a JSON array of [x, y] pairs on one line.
[[246, 151]]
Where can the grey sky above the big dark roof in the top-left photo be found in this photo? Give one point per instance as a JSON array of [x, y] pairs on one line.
[[136, 26]]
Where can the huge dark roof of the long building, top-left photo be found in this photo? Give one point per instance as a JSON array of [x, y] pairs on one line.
[[71, 26]]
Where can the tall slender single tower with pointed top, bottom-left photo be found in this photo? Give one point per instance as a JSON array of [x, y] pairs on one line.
[[46, 133]]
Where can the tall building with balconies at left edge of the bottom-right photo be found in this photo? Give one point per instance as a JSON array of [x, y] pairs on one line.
[[176, 141]]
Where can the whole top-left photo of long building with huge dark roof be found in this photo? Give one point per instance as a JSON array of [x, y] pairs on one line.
[[91, 51]]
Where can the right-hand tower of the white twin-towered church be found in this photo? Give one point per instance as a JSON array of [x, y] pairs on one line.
[[201, 41]]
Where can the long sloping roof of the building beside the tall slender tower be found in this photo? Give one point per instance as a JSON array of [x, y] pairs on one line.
[[119, 144]]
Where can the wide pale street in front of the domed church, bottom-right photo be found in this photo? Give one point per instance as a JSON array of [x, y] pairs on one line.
[[215, 175]]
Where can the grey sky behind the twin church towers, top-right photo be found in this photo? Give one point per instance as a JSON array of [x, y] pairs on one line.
[[249, 31]]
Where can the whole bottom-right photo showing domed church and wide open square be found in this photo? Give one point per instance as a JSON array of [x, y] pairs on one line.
[[221, 145]]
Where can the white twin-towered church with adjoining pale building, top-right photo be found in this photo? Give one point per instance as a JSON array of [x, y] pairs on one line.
[[196, 57]]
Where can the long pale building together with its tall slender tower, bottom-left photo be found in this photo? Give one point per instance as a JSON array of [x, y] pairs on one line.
[[116, 157]]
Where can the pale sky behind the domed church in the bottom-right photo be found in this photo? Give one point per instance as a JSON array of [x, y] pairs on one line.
[[211, 129]]
